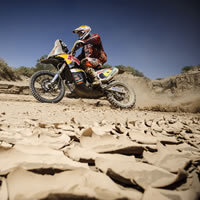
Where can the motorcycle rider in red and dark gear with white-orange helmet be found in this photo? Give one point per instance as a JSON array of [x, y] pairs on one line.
[[93, 55]]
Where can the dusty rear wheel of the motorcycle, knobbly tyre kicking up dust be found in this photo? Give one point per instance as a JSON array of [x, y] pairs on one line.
[[120, 95]]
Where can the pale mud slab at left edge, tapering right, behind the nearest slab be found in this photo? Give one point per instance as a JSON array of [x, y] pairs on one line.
[[29, 157]]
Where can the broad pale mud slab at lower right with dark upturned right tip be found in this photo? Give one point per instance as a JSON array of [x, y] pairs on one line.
[[141, 173]]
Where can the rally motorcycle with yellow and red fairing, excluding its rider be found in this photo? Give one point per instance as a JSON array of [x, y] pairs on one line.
[[49, 87]]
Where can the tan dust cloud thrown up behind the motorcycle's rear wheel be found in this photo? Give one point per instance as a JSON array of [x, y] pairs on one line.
[[148, 99]]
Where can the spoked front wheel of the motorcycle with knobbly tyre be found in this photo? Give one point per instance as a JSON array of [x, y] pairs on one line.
[[45, 91]]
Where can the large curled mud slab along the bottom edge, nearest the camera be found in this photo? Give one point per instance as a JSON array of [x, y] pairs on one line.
[[82, 183]]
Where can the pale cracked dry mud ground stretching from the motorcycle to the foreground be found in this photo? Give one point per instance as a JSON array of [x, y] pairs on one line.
[[81, 149]]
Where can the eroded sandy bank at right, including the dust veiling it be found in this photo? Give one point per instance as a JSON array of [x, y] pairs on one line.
[[176, 93]]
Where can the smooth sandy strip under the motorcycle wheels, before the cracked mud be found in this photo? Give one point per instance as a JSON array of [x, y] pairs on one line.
[[86, 111]]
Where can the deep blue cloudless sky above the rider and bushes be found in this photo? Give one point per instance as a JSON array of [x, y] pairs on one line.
[[156, 37]]
